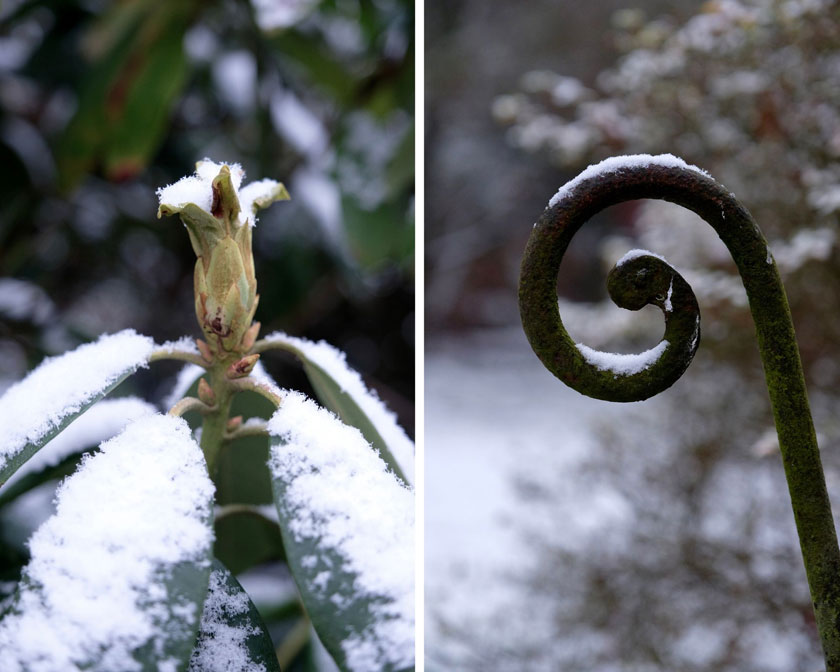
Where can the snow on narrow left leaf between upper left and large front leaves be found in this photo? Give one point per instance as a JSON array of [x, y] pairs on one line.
[[100, 422]]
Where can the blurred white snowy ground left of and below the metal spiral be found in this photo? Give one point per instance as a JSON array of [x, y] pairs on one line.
[[492, 413]]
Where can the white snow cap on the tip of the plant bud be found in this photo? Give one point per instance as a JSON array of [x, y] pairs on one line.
[[198, 189]]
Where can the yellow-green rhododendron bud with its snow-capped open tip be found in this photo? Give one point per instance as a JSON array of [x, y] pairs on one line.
[[219, 218]]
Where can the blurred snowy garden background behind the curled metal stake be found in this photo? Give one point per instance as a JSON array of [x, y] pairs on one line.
[[565, 533]]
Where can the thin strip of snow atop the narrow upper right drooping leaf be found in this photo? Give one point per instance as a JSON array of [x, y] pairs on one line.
[[334, 362]]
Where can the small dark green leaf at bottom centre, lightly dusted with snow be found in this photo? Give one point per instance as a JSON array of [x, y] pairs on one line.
[[232, 636]]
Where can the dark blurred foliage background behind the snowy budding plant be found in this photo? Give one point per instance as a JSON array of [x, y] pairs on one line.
[[103, 102]]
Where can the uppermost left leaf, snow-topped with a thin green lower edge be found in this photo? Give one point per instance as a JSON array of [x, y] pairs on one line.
[[61, 388]]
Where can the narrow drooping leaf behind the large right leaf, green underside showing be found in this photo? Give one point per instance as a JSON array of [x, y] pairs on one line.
[[342, 390]]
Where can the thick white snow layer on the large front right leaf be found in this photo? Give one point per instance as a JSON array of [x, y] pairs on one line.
[[342, 494]]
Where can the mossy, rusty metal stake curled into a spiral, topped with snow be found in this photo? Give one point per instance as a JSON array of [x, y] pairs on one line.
[[646, 279]]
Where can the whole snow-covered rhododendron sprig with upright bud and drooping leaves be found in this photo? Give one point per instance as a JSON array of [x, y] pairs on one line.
[[123, 576]]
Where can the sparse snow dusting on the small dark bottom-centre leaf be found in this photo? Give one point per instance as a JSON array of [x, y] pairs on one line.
[[222, 646]]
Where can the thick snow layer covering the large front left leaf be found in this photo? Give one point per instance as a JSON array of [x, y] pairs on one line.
[[92, 594]]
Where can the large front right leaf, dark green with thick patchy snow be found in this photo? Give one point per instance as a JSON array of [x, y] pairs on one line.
[[348, 530]]
